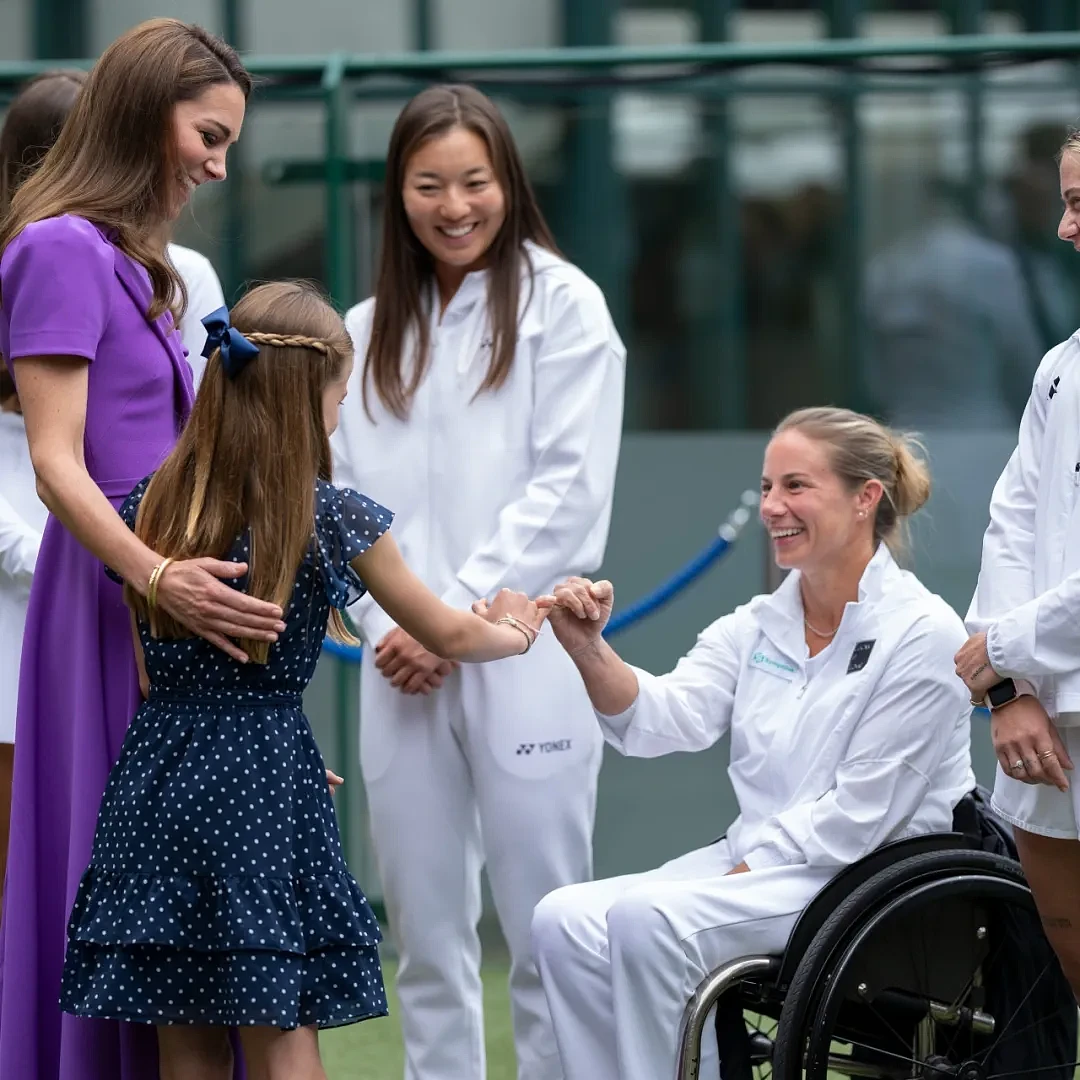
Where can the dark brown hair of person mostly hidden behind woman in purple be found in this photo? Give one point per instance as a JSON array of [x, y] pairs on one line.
[[31, 128]]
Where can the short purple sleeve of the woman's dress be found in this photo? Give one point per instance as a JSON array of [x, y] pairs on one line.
[[56, 282]]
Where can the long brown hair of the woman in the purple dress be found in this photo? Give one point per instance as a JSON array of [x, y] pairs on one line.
[[116, 161]]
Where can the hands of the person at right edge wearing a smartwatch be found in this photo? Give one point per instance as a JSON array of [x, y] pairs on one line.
[[1027, 741]]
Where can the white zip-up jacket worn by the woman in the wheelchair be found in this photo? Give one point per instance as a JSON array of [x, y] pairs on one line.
[[832, 757]]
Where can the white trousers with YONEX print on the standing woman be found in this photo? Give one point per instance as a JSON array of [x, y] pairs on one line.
[[498, 766]]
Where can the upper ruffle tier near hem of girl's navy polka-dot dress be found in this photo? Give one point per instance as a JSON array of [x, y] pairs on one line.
[[211, 914]]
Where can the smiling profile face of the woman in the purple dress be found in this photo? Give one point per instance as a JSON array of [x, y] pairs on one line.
[[205, 129]]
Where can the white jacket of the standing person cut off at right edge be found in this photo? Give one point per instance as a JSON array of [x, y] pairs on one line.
[[1029, 595]]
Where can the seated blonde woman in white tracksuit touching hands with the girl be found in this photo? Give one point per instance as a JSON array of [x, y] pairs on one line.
[[848, 730]]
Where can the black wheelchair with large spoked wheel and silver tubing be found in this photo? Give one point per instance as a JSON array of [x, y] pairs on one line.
[[926, 961]]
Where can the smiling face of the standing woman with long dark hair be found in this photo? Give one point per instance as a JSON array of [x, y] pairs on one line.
[[454, 201]]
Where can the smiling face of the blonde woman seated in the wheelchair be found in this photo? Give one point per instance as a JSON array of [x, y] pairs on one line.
[[814, 517]]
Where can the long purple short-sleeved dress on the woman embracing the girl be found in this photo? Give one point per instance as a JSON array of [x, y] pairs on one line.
[[66, 290]]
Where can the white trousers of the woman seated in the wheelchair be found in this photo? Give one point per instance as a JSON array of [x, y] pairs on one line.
[[620, 958]]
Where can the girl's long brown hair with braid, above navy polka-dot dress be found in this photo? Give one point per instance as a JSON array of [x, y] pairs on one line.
[[250, 455]]
